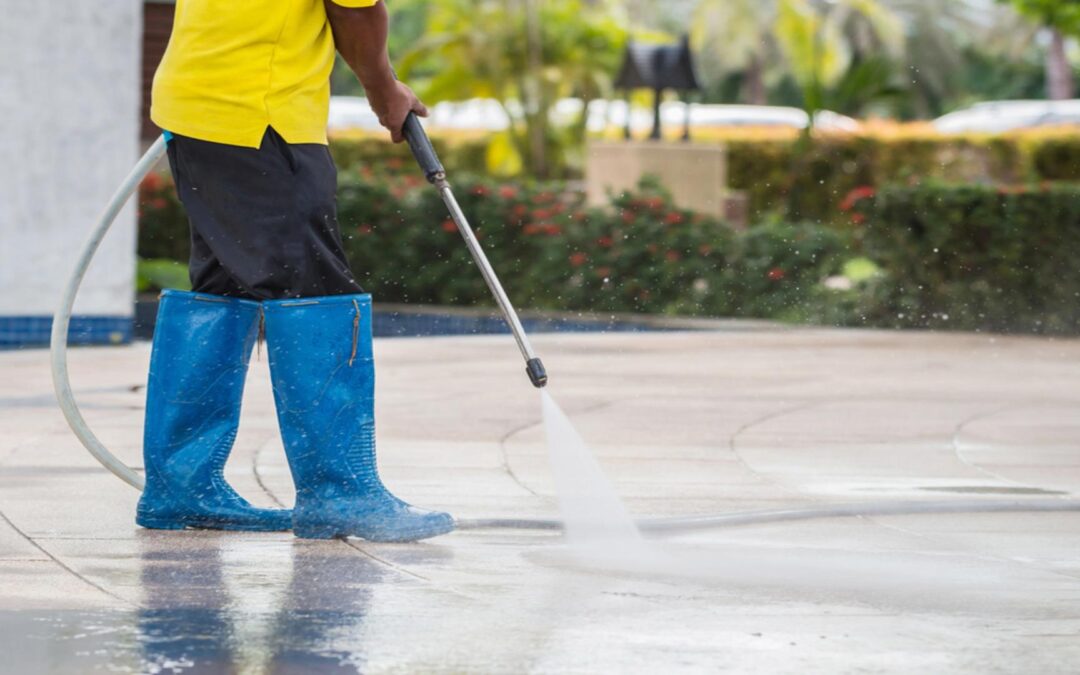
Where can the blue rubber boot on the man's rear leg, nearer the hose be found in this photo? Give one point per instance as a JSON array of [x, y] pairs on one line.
[[201, 347]]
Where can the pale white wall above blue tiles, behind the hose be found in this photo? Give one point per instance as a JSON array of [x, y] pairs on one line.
[[70, 88]]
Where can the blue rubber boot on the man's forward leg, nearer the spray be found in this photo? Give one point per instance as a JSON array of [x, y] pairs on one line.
[[323, 376]]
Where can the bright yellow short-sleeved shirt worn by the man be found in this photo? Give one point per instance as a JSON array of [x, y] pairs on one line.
[[235, 67]]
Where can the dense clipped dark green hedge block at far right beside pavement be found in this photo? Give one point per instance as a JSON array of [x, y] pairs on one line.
[[975, 258]]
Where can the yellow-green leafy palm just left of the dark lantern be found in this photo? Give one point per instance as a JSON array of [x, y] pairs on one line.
[[525, 55]]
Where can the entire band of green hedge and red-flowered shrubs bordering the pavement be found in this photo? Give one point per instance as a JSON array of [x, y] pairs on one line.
[[940, 256]]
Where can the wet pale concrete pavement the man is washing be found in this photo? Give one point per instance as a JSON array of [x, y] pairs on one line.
[[685, 424]]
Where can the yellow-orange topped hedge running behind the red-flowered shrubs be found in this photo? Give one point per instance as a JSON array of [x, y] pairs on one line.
[[804, 182]]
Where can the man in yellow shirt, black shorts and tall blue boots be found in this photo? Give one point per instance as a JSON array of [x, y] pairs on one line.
[[244, 92]]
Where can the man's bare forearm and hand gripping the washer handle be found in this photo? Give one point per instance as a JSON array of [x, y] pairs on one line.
[[360, 35]]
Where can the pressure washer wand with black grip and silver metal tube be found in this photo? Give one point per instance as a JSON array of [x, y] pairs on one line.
[[426, 157]]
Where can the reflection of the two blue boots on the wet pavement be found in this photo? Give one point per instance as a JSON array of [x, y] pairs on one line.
[[219, 604]]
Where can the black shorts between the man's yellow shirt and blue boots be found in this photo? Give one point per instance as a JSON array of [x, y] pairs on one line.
[[264, 222]]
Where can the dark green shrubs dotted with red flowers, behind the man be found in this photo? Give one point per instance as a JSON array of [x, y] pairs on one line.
[[638, 254]]
